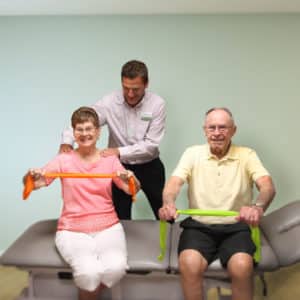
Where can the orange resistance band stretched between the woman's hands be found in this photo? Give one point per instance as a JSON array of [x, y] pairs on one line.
[[29, 182]]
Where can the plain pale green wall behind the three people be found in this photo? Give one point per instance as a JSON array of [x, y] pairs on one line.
[[51, 65]]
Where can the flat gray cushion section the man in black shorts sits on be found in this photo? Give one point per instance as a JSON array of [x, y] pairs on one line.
[[268, 262]]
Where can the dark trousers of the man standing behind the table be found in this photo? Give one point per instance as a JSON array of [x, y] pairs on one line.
[[152, 178]]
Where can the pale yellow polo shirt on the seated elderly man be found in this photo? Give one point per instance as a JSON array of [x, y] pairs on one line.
[[225, 184]]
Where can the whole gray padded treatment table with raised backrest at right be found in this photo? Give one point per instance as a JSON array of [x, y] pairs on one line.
[[147, 278]]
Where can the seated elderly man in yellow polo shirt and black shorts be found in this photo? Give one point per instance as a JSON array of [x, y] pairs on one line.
[[220, 175]]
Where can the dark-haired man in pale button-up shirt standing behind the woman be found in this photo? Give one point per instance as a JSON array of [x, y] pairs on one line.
[[136, 123]]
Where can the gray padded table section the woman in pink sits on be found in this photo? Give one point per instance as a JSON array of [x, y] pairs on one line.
[[35, 248]]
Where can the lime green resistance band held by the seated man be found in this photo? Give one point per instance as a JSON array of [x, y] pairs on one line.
[[255, 233]]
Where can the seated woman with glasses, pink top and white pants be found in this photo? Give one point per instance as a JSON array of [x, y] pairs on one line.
[[89, 235]]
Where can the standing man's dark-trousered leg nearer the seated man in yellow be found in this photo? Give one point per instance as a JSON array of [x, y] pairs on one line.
[[152, 178]]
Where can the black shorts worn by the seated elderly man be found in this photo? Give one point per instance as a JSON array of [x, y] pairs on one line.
[[217, 240]]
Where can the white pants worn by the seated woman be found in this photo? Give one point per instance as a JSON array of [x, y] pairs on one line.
[[95, 258]]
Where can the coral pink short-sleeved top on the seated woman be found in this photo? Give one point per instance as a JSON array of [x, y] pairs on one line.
[[87, 202]]
